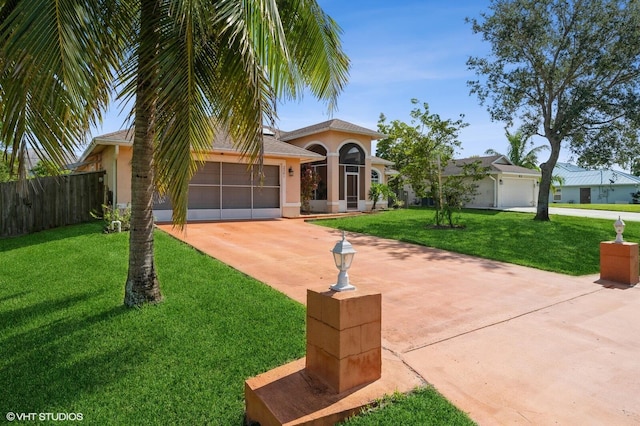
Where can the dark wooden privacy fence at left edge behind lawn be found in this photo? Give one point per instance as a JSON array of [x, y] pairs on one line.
[[49, 202]]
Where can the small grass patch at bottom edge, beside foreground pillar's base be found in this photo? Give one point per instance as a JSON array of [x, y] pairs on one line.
[[422, 407]]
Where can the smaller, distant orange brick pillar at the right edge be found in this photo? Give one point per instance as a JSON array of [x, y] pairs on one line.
[[619, 262]]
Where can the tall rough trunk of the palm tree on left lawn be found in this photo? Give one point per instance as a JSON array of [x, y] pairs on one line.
[[142, 282]]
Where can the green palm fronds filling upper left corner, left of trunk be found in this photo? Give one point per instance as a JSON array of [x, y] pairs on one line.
[[56, 74]]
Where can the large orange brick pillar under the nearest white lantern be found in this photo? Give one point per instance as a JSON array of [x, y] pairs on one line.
[[344, 347]]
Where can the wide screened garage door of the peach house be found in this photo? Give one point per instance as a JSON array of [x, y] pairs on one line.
[[229, 191]]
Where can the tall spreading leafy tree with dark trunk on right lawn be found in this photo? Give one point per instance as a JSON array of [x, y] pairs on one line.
[[568, 70]]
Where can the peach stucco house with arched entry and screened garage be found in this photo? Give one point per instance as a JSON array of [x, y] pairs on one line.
[[226, 188]]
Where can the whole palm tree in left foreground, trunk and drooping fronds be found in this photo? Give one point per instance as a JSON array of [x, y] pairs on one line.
[[181, 62]]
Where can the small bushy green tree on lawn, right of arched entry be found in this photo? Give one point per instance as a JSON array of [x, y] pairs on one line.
[[420, 150]]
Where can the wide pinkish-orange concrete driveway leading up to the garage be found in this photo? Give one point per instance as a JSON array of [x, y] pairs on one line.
[[506, 344]]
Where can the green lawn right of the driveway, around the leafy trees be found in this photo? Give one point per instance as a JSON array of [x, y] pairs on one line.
[[569, 245]]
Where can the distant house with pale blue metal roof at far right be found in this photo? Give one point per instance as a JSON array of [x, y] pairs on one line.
[[585, 186]]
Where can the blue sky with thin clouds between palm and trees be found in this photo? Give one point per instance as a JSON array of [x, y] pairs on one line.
[[399, 51]]
